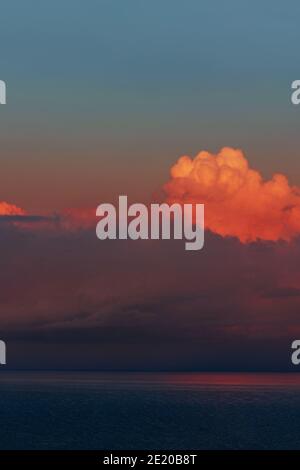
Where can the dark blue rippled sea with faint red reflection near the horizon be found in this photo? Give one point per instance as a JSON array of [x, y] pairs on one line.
[[149, 411]]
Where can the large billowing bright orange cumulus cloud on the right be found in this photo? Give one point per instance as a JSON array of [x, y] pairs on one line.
[[238, 202]]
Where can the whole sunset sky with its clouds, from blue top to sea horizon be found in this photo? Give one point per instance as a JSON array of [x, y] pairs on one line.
[[103, 98]]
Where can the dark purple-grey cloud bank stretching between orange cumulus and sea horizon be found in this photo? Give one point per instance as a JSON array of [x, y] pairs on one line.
[[68, 300]]
